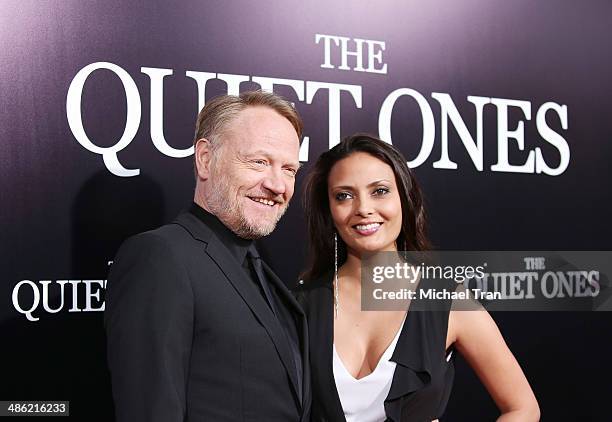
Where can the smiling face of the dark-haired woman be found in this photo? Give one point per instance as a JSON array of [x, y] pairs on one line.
[[365, 203]]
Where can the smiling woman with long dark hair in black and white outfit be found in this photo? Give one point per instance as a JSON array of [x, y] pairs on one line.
[[392, 365]]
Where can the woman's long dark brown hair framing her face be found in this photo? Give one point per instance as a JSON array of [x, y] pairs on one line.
[[318, 215]]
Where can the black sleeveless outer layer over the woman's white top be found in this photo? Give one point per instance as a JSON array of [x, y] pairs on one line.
[[423, 376]]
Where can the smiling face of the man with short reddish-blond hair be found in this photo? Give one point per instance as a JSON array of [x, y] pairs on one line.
[[253, 173]]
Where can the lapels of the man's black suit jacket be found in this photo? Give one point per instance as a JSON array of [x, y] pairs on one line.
[[245, 288]]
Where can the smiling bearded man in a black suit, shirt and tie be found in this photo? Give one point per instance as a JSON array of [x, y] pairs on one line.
[[199, 329]]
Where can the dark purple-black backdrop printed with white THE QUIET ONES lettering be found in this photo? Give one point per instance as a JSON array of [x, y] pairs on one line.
[[503, 109]]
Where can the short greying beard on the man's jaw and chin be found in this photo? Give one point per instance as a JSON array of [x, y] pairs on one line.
[[230, 211]]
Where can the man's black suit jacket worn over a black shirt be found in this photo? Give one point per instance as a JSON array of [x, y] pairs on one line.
[[190, 337]]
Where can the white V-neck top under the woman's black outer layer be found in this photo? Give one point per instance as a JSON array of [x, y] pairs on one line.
[[363, 399]]
